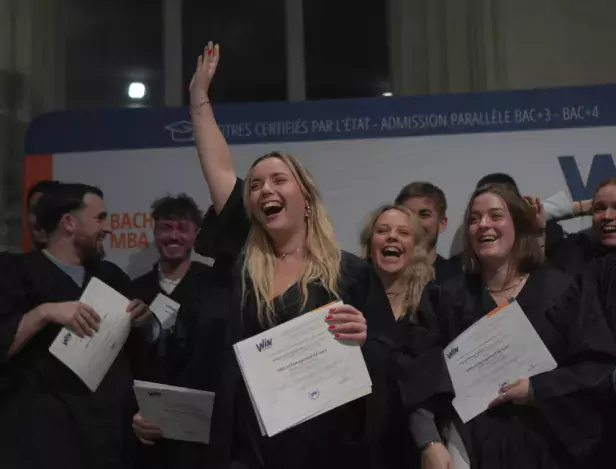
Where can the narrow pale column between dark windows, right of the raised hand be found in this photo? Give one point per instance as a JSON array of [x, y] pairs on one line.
[[294, 26]]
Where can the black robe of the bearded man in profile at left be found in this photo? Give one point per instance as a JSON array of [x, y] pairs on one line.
[[48, 417]]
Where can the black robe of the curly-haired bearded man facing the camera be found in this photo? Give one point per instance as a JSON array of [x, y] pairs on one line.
[[199, 329]]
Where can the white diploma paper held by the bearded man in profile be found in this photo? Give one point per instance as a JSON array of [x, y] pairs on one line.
[[91, 357]]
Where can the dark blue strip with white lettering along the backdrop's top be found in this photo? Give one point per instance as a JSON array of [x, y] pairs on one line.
[[109, 129]]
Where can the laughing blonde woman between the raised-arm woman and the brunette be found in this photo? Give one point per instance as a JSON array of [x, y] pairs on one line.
[[392, 239]]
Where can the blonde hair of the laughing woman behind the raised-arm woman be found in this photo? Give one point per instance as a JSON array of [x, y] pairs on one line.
[[420, 271]]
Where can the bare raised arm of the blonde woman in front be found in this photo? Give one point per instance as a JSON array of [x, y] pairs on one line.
[[214, 153]]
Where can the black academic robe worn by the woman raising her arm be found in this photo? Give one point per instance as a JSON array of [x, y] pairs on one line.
[[346, 437]]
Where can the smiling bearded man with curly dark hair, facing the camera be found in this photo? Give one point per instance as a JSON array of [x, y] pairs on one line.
[[174, 277]]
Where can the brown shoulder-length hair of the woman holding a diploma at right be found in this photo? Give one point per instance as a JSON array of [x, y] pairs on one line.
[[527, 253]]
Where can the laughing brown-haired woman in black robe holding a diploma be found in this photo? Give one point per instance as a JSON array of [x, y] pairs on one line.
[[553, 419]]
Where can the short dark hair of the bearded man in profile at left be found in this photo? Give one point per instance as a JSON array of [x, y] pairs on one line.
[[65, 198]]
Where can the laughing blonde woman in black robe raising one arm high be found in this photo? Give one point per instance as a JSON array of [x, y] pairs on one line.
[[286, 262]]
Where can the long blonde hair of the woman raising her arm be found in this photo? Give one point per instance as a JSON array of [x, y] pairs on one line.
[[322, 252]]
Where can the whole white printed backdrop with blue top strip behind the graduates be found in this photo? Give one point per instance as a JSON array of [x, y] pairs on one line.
[[361, 152]]
